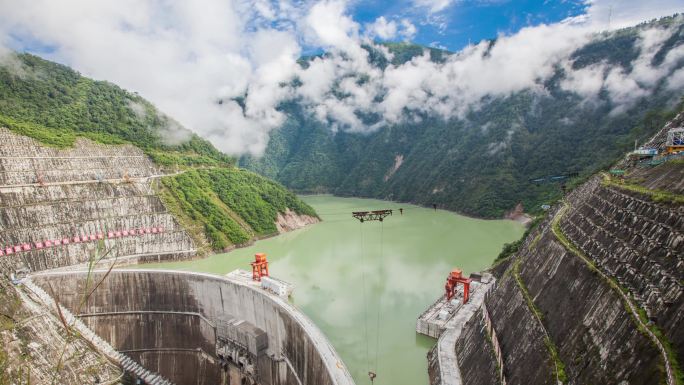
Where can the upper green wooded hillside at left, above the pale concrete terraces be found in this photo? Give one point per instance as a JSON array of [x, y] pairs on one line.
[[55, 104]]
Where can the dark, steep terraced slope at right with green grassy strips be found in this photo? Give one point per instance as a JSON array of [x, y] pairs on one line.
[[596, 293]]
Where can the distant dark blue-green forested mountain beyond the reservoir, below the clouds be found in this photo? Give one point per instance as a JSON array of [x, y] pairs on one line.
[[480, 164]]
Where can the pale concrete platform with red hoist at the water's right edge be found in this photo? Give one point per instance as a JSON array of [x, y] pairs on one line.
[[437, 317]]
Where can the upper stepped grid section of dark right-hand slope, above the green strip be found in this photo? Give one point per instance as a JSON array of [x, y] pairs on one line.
[[638, 242]]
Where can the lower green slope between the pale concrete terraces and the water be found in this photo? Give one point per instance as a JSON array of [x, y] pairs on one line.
[[228, 206]]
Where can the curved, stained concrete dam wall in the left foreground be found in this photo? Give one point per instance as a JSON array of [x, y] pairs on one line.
[[175, 323]]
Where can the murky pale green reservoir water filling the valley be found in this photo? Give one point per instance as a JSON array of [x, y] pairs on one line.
[[405, 261]]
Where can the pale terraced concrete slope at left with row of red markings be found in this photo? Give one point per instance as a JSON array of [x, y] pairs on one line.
[[57, 205]]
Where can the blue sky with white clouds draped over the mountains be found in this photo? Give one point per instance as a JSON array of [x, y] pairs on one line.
[[185, 56]]
